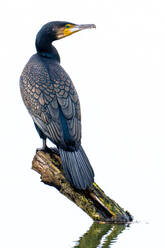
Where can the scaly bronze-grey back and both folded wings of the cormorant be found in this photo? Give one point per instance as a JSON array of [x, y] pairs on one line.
[[46, 92]]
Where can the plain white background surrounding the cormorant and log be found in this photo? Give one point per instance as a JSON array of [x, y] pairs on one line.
[[118, 71]]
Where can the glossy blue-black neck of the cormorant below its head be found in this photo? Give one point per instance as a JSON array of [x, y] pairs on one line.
[[46, 49]]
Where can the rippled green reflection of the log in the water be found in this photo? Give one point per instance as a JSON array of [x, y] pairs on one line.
[[100, 235]]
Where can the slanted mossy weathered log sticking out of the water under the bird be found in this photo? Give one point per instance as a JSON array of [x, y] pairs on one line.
[[93, 201]]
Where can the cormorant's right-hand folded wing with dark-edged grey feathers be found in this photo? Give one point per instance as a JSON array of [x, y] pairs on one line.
[[67, 99]]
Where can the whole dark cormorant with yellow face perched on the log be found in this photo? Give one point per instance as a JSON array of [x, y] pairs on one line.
[[53, 103]]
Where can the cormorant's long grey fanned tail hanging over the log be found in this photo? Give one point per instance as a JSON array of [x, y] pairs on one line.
[[77, 168]]
